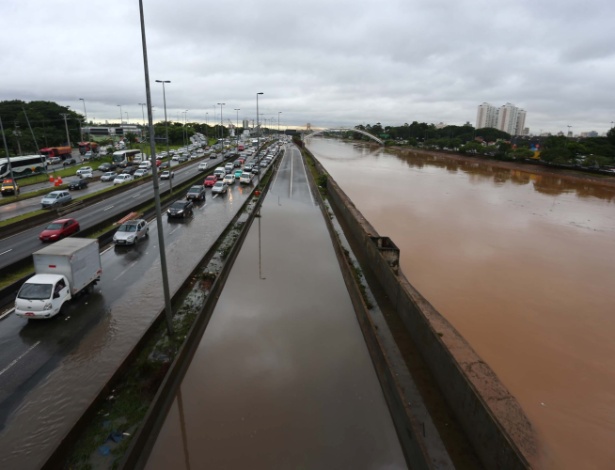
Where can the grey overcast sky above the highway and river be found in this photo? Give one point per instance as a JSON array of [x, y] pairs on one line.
[[331, 63]]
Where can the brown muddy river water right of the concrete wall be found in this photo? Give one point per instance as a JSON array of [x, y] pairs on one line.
[[523, 265]]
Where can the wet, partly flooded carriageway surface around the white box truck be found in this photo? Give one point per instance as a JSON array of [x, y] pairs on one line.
[[48, 398]]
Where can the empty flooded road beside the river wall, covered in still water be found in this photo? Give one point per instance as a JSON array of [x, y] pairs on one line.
[[282, 377]]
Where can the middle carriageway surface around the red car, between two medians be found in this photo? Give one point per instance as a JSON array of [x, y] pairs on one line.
[[21, 245]]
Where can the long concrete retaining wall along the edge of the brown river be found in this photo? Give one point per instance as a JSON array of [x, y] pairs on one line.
[[490, 416]]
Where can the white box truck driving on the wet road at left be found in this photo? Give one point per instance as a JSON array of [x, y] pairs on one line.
[[63, 270]]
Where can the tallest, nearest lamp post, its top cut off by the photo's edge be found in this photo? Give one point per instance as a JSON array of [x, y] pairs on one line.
[[161, 244]]
